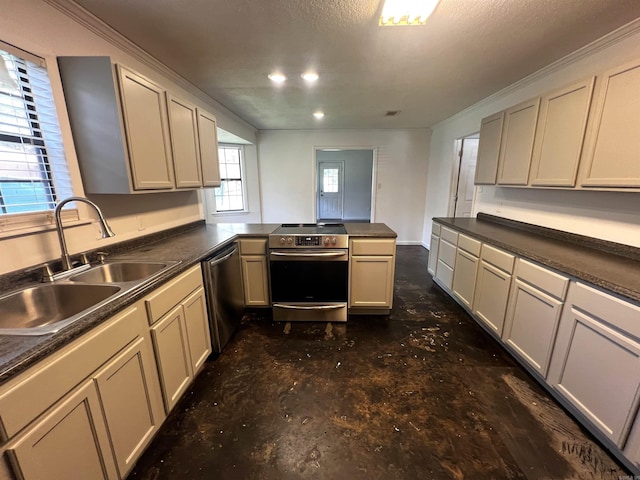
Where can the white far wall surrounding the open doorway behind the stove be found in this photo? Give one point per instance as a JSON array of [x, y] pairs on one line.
[[288, 175]]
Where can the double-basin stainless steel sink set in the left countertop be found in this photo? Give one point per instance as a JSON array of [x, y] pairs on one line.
[[46, 308]]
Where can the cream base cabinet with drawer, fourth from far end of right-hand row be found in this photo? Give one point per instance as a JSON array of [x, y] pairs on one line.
[[492, 287]]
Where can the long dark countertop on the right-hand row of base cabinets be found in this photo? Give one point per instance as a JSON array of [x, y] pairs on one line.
[[611, 266]]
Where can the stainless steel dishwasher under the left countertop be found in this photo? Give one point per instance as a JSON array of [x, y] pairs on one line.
[[225, 299]]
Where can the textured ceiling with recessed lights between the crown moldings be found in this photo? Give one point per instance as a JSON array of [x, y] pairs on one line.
[[468, 50]]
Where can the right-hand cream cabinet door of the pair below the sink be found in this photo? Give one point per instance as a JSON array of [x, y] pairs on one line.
[[131, 400]]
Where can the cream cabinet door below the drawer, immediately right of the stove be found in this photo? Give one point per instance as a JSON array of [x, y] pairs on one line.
[[371, 281]]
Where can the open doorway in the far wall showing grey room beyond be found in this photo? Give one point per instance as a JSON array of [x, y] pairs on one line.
[[344, 184]]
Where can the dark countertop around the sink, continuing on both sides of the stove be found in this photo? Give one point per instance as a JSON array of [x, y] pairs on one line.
[[186, 245]]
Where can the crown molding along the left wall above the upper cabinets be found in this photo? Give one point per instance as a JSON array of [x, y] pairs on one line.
[[92, 23]]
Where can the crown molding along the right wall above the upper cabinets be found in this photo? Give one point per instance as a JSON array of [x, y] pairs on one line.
[[606, 41]]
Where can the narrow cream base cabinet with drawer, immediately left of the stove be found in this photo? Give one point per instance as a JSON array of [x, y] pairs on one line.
[[255, 272]]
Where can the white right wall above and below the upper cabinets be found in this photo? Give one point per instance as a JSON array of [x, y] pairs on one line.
[[612, 216]]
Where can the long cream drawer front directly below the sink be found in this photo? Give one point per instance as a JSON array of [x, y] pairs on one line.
[[31, 393]]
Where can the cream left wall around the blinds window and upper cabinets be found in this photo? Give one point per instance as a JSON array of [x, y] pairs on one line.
[[52, 33]]
